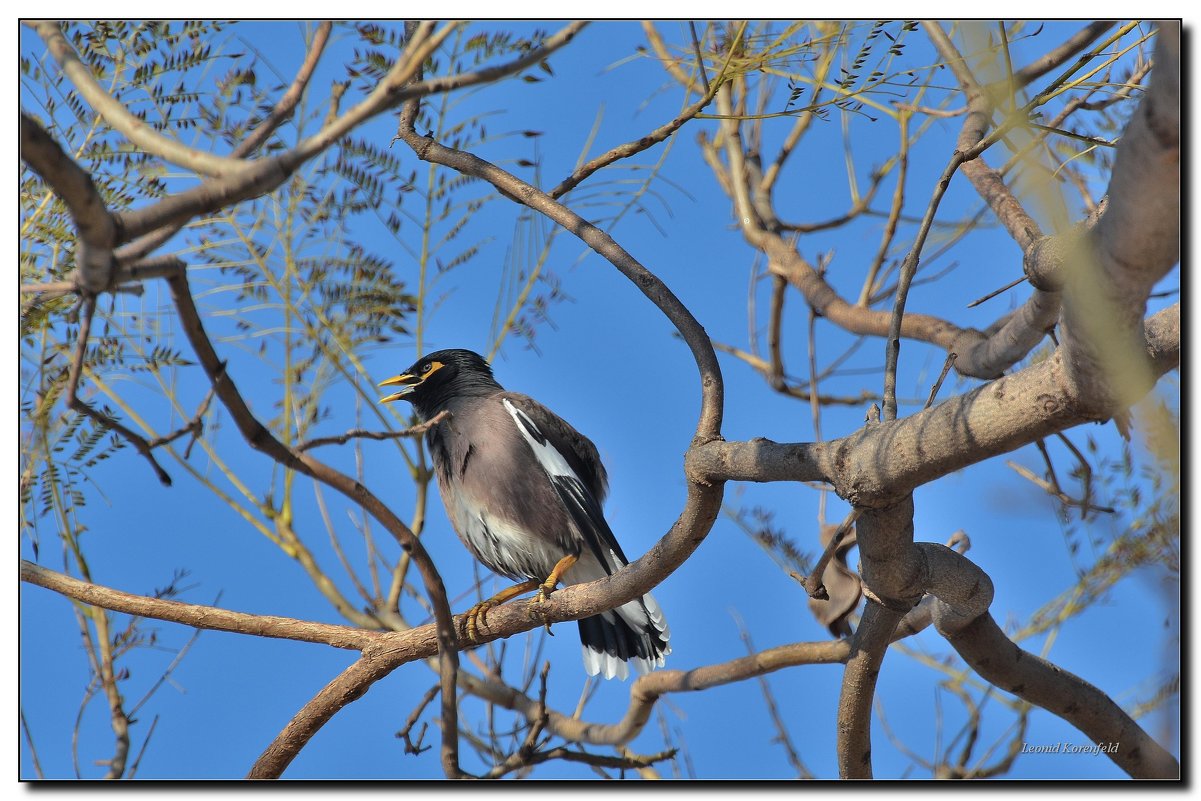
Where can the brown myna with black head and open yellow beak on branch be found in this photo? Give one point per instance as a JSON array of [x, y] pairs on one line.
[[524, 491]]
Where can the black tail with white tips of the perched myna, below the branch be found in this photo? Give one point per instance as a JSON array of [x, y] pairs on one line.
[[634, 633]]
